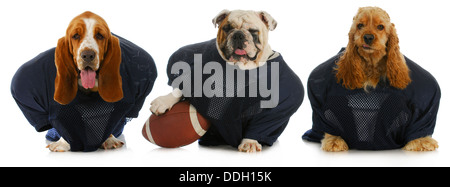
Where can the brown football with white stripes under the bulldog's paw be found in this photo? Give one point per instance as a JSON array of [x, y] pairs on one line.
[[178, 127]]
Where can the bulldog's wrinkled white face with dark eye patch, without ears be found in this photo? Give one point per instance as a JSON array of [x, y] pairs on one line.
[[242, 36]]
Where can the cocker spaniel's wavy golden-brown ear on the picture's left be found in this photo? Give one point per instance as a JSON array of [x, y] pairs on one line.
[[349, 69]]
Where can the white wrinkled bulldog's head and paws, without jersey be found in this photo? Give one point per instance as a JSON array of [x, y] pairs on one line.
[[242, 40]]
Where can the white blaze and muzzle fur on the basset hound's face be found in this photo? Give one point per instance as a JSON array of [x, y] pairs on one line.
[[89, 42]]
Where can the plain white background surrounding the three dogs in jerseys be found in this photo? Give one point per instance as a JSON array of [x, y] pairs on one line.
[[308, 33]]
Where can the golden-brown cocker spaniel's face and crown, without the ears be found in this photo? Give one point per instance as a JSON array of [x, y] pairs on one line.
[[370, 27]]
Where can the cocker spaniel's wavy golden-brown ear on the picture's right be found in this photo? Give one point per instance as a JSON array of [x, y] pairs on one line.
[[396, 69]]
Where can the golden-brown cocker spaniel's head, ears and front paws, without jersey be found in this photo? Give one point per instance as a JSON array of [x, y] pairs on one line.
[[373, 54]]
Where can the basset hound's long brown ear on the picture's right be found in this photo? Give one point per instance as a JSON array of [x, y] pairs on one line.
[[109, 79]]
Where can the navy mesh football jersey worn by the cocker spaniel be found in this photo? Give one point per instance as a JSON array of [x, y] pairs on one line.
[[384, 118]]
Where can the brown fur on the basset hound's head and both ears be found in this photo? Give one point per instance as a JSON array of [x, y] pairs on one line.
[[66, 81]]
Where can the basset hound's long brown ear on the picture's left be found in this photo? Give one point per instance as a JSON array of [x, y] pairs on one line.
[[66, 74]]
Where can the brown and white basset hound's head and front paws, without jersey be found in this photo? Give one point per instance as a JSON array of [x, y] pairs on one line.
[[87, 58]]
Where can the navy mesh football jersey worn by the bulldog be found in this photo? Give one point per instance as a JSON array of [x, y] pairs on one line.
[[236, 117]]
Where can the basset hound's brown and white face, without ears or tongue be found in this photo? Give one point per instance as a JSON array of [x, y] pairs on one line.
[[88, 35]]
